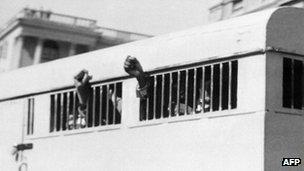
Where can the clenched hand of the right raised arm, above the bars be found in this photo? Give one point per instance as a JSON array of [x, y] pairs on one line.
[[133, 67]]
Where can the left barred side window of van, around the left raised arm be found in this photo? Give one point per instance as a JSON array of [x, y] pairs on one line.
[[102, 108]]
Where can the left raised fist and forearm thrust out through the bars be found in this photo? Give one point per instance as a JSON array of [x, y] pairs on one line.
[[83, 86]]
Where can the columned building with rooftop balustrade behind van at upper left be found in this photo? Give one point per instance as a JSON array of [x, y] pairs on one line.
[[37, 36]]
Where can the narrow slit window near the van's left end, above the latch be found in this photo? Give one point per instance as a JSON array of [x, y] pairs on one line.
[[30, 116]]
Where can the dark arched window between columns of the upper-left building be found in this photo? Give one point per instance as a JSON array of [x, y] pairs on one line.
[[50, 51]]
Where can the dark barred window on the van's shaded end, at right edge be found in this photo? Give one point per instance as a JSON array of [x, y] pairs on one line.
[[293, 83]]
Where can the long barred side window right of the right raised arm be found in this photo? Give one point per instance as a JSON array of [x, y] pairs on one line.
[[190, 91]]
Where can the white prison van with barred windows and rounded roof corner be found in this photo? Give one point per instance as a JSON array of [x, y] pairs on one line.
[[240, 82]]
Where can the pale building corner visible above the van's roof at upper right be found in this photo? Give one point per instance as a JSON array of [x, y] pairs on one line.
[[223, 9]]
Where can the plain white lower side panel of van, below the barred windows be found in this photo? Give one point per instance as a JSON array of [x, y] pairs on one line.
[[220, 143]]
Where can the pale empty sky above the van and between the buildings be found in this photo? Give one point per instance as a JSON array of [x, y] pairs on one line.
[[142, 16]]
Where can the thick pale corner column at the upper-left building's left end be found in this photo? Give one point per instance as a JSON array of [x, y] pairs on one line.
[[18, 46]]
